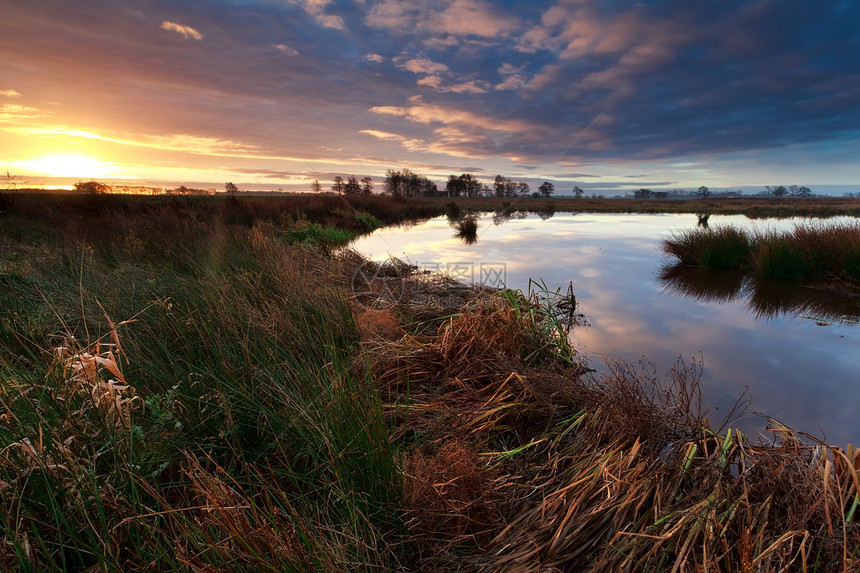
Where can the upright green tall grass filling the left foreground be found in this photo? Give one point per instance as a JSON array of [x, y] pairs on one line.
[[220, 421]]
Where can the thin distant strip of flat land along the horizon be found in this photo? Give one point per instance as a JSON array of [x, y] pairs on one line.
[[325, 209]]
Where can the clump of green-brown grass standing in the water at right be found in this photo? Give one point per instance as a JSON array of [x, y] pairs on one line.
[[816, 252]]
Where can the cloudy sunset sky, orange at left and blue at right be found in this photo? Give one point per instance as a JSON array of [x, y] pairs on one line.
[[608, 95]]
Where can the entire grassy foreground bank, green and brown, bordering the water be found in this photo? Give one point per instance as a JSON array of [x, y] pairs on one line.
[[194, 385]]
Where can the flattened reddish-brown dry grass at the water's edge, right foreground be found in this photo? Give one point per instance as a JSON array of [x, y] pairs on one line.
[[516, 466]]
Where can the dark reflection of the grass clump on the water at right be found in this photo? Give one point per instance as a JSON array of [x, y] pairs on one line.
[[763, 298]]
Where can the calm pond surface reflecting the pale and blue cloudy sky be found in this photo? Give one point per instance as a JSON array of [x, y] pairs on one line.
[[749, 334]]
